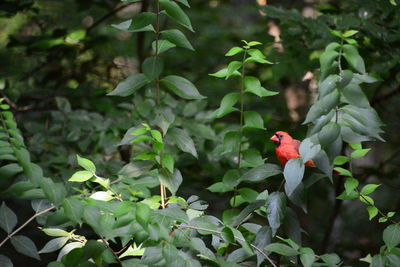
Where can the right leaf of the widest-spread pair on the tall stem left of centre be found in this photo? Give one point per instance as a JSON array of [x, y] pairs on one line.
[[181, 87]]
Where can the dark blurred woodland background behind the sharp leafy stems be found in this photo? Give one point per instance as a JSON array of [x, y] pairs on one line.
[[59, 59]]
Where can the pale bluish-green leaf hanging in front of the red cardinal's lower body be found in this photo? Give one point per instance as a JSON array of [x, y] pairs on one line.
[[293, 173]]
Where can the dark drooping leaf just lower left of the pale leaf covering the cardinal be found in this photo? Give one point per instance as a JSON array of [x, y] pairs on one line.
[[276, 207]]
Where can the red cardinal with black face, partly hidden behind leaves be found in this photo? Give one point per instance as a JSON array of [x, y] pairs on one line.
[[287, 148]]
